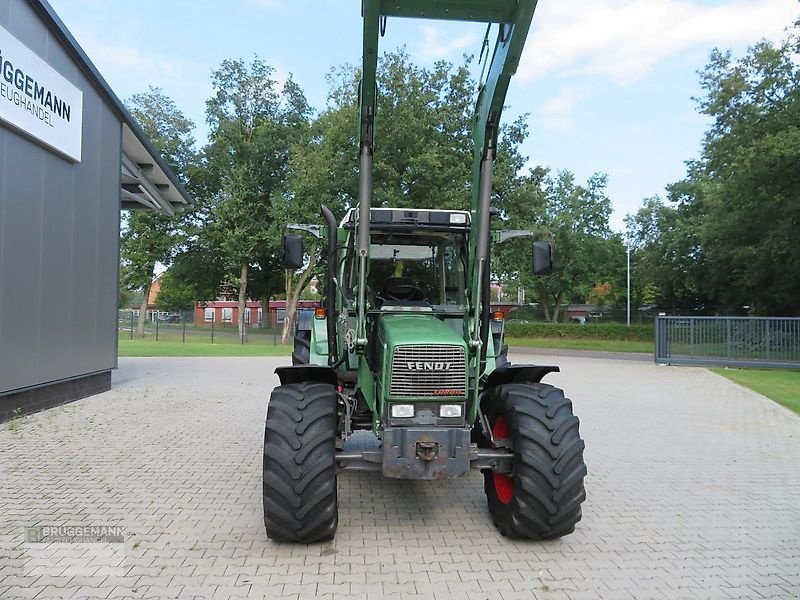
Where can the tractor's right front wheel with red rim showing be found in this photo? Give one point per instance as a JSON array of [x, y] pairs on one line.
[[542, 498]]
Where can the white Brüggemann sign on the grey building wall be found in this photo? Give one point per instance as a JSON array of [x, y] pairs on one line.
[[38, 100]]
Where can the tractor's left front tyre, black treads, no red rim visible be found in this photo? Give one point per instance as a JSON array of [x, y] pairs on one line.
[[299, 487]]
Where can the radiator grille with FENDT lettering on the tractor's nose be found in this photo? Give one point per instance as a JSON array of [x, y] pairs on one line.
[[428, 371]]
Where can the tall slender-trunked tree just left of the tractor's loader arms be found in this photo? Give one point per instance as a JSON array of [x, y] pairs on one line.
[[254, 124]]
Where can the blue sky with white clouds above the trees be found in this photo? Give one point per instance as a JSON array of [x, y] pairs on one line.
[[608, 84]]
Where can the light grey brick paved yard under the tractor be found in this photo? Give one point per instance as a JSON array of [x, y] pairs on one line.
[[693, 492]]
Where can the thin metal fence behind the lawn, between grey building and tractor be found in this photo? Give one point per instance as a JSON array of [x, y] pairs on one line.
[[182, 328]]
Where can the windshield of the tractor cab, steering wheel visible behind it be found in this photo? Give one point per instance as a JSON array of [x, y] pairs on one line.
[[417, 269]]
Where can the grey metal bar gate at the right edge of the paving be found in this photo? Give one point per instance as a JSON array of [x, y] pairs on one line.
[[769, 342]]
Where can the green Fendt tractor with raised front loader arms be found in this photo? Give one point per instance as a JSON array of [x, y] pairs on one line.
[[406, 344]]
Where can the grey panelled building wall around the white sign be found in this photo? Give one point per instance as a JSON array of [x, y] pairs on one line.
[[59, 235]]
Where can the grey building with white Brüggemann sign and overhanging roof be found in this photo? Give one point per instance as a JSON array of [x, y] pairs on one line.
[[71, 158]]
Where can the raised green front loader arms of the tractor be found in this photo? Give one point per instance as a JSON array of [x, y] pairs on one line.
[[513, 20]]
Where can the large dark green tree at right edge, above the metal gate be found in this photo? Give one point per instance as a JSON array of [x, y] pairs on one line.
[[742, 193]]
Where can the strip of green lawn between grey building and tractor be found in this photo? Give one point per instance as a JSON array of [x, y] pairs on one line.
[[221, 347]]
